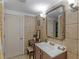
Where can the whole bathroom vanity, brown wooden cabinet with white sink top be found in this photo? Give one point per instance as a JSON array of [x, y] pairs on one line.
[[46, 50]]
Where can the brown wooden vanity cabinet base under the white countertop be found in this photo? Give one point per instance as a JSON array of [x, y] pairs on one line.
[[42, 54]]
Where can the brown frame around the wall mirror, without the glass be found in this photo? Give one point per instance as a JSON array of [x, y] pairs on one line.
[[63, 36]]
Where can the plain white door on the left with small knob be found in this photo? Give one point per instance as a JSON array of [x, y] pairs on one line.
[[14, 42]]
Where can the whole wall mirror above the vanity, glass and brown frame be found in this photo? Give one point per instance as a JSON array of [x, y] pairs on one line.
[[56, 23]]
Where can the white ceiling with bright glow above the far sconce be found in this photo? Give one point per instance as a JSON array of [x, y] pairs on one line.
[[34, 7]]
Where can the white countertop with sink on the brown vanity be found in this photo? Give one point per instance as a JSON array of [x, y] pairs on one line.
[[52, 51]]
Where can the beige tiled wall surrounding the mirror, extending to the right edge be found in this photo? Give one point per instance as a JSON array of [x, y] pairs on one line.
[[72, 33]]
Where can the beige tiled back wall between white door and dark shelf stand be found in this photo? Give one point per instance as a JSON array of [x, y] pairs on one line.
[[29, 28]]
